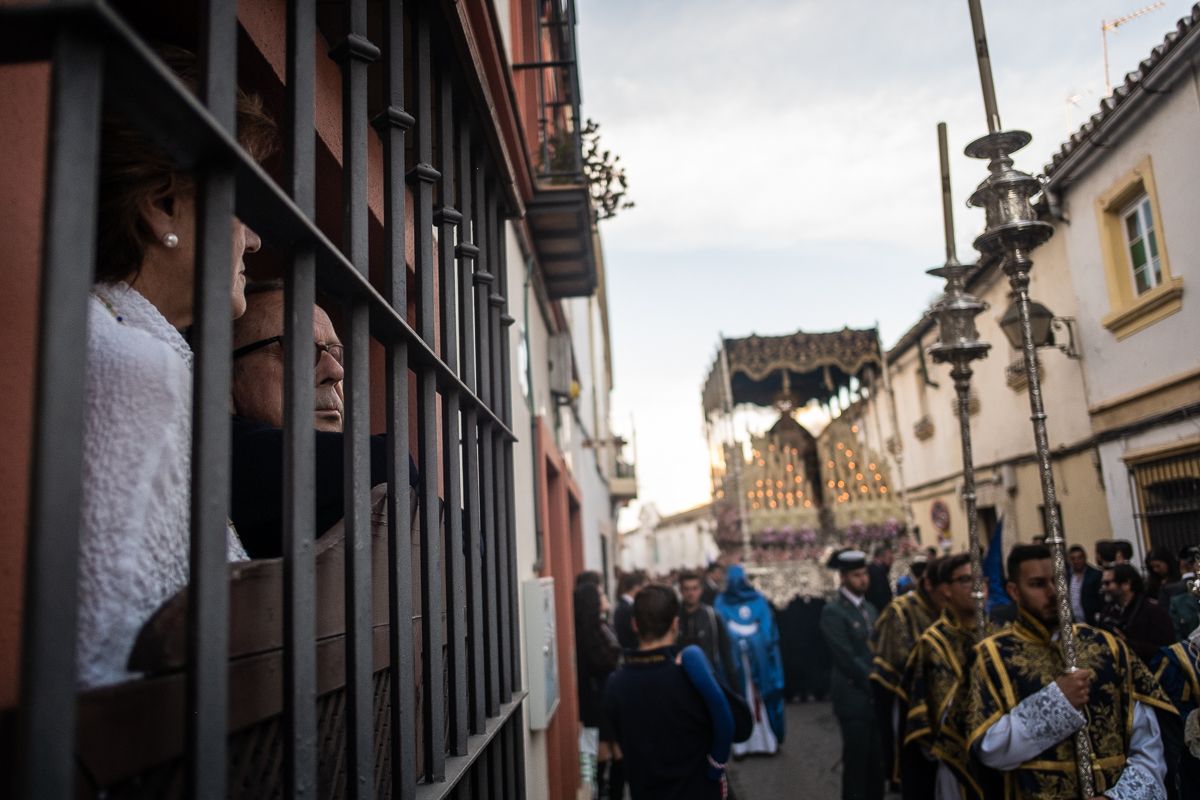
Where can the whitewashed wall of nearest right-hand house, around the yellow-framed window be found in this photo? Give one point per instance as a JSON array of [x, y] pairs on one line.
[[1137, 370]]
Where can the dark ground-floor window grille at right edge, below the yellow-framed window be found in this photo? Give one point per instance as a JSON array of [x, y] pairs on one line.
[[1167, 494]]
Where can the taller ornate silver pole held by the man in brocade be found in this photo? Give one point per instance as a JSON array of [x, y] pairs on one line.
[[1013, 232]]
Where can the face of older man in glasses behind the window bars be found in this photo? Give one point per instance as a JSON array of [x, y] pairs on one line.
[[259, 376]]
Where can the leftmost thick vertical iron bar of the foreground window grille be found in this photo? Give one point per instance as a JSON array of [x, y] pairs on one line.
[[47, 717]]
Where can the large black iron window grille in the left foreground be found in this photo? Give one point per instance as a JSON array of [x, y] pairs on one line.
[[310, 718]]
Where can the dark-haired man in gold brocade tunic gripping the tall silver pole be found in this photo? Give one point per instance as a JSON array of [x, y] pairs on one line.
[[1024, 707]]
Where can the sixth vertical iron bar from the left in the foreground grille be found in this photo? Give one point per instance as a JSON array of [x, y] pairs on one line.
[[425, 177]]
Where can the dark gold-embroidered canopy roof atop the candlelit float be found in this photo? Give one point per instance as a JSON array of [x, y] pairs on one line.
[[797, 369]]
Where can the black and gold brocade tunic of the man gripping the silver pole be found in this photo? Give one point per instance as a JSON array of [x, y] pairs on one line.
[[1021, 661]]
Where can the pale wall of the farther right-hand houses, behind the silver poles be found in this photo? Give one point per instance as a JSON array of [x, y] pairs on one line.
[[1003, 437]]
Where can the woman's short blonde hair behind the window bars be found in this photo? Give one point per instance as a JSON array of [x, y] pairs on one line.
[[134, 167]]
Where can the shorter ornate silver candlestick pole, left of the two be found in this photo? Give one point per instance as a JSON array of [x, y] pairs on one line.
[[958, 345]]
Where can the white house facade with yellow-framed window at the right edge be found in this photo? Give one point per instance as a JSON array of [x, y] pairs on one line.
[[1127, 194]]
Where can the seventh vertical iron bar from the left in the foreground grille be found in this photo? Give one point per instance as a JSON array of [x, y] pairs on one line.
[[449, 220]]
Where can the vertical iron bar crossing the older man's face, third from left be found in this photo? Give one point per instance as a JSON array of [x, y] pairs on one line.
[[299, 574]]
